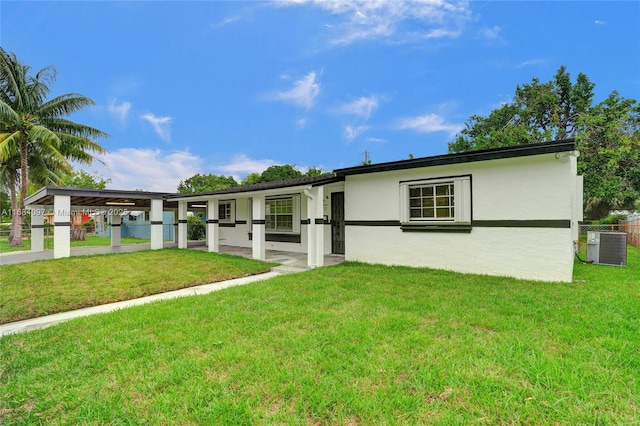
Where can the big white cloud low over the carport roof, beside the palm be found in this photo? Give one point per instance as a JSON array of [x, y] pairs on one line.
[[147, 169]]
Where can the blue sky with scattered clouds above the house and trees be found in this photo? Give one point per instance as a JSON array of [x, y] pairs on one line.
[[234, 87]]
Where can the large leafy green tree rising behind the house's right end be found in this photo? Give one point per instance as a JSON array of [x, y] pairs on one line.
[[606, 134]]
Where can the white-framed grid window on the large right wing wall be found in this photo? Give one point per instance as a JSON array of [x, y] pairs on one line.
[[436, 201]]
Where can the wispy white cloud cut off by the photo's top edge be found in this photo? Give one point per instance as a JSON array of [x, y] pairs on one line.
[[370, 20]]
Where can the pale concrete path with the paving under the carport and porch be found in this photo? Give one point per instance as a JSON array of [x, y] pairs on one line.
[[290, 262]]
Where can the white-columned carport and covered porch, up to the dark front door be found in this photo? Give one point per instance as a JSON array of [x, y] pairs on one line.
[[302, 217]]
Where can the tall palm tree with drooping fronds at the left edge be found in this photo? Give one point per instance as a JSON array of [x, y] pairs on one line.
[[37, 131]]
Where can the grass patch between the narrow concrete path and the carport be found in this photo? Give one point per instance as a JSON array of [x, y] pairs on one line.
[[40, 288]]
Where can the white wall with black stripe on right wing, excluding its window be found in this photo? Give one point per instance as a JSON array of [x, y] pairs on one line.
[[526, 188]]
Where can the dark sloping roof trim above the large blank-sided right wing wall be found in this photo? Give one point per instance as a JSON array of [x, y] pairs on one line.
[[465, 157]]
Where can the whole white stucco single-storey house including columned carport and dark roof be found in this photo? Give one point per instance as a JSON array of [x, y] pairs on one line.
[[508, 212]]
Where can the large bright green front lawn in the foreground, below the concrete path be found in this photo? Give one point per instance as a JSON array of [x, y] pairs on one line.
[[349, 344]]
